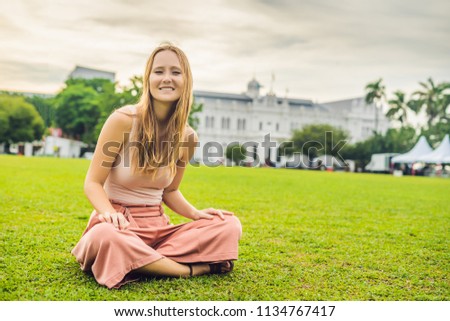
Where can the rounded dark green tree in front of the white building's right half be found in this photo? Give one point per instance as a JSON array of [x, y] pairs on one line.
[[314, 140]]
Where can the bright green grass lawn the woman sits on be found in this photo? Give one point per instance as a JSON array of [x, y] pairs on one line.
[[307, 235]]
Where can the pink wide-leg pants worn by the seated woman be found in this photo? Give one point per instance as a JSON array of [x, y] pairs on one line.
[[111, 254]]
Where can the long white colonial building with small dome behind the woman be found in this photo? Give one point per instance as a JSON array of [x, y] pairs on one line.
[[249, 118]]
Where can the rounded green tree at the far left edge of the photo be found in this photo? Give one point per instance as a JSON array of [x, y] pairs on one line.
[[19, 121]]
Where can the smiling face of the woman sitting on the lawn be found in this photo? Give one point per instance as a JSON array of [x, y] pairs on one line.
[[166, 78]]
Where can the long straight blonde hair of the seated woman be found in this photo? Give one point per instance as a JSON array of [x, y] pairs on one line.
[[153, 149]]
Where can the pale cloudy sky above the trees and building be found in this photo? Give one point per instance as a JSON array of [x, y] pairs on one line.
[[317, 49]]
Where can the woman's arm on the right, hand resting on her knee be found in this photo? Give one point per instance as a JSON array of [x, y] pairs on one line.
[[173, 197]]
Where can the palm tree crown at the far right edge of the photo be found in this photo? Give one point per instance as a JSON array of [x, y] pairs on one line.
[[435, 99]]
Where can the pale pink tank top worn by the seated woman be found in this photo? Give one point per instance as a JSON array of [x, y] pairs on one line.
[[135, 189]]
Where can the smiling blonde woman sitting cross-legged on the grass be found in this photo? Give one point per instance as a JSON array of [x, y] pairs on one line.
[[138, 164]]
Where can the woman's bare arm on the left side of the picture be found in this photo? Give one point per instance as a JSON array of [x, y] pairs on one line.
[[108, 146]]
